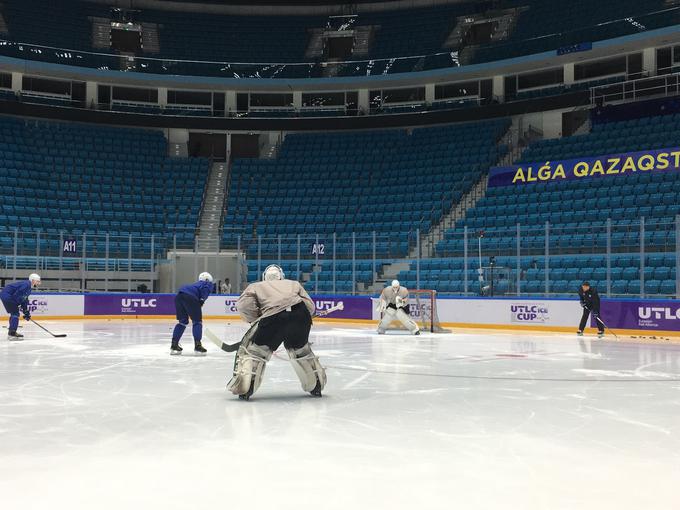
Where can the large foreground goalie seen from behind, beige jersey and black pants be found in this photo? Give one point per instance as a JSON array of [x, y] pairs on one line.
[[280, 311]]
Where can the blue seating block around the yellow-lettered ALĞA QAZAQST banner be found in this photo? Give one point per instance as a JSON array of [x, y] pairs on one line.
[[577, 237]]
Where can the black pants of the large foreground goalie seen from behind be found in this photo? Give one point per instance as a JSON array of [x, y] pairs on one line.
[[290, 328]]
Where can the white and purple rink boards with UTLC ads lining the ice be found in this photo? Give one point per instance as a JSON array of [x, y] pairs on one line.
[[504, 313]]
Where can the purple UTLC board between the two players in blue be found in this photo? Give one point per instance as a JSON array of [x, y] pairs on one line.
[[129, 304]]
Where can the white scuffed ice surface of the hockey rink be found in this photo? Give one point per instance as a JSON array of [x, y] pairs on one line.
[[106, 418]]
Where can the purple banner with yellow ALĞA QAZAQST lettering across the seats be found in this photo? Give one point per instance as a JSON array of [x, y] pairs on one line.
[[608, 166]]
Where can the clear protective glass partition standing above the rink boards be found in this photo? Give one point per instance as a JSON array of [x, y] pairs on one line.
[[620, 257]]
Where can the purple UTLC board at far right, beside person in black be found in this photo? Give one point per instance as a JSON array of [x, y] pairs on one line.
[[661, 315]]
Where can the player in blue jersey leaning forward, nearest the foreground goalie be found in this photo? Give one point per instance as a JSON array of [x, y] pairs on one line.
[[188, 303]]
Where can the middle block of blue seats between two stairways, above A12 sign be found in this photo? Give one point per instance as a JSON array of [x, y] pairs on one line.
[[365, 193]]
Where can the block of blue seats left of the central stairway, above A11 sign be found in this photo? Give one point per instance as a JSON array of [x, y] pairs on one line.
[[148, 193]]
